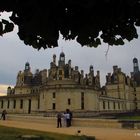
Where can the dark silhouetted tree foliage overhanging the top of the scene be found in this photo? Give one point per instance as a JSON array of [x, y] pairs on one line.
[[88, 21]]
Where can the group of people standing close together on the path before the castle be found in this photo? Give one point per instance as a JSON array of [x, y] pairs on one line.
[[66, 117]]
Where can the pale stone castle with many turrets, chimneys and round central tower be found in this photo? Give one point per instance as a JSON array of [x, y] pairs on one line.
[[63, 87]]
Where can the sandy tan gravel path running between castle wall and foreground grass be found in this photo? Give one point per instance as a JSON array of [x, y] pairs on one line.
[[99, 133]]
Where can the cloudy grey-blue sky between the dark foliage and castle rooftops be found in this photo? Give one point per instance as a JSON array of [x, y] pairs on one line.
[[14, 54]]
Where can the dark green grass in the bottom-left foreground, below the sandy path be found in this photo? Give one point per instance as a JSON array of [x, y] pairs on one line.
[[9, 133]]
